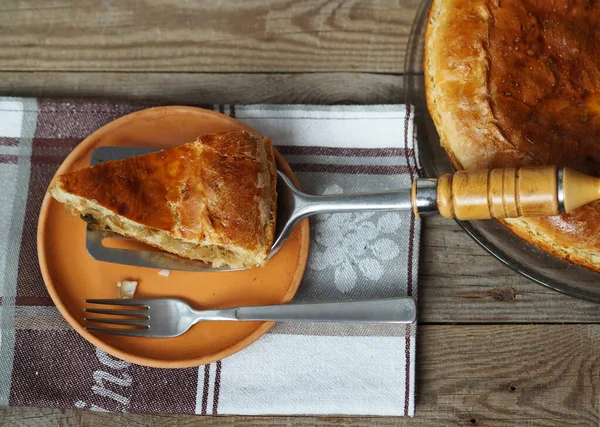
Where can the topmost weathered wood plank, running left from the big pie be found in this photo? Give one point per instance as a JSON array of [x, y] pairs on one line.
[[231, 36]]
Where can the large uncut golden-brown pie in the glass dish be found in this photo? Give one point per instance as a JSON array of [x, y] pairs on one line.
[[517, 82]]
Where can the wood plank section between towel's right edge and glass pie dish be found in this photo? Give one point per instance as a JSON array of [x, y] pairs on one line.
[[461, 282]]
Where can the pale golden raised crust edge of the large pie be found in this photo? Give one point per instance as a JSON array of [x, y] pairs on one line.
[[457, 99]]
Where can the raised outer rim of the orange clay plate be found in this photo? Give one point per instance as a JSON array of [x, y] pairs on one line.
[[80, 149]]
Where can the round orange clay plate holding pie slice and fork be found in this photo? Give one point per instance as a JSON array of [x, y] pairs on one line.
[[71, 275]]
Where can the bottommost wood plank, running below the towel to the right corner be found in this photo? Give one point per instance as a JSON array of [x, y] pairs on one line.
[[482, 375]]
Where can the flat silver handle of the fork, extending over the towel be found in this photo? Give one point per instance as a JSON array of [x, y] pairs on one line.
[[392, 310]]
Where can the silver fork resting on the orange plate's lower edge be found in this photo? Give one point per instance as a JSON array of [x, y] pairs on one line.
[[169, 317]]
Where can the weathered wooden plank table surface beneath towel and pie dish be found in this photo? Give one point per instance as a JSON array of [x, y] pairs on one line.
[[494, 348]]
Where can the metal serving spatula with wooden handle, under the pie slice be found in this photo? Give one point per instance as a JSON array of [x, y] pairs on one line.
[[466, 195]]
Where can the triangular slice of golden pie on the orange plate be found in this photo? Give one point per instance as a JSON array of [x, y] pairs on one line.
[[213, 199]]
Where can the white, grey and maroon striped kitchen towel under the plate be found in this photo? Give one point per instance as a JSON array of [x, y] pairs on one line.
[[294, 369]]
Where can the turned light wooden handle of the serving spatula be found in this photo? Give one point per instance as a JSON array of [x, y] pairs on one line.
[[514, 192]]
